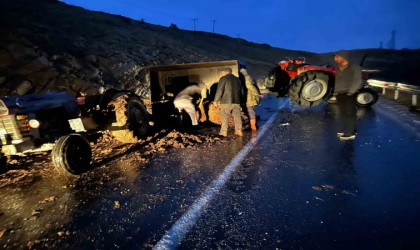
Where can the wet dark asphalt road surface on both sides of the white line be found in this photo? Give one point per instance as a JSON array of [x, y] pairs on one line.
[[298, 187]]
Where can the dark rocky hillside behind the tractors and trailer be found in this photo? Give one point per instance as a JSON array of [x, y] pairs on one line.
[[47, 45]]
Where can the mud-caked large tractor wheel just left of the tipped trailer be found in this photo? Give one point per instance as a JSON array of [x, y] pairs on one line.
[[131, 114]]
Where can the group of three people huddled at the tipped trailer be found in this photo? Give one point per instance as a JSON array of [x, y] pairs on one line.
[[230, 96]]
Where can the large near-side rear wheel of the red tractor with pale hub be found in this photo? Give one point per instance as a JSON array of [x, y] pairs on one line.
[[311, 88]]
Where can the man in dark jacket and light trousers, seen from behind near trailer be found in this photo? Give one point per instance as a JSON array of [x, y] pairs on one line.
[[229, 94]]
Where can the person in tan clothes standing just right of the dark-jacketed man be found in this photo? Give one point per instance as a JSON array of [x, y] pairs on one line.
[[253, 96]]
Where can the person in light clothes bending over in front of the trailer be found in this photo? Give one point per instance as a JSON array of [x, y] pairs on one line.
[[186, 98]]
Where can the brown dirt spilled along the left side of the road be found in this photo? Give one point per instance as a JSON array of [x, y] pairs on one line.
[[37, 203]]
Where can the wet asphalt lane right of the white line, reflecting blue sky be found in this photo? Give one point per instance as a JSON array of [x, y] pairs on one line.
[[316, 192]]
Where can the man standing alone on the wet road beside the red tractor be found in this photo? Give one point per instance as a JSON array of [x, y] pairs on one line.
[[347, 83]]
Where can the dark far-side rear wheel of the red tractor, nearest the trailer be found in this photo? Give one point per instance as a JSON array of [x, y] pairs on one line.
[[278, 81]]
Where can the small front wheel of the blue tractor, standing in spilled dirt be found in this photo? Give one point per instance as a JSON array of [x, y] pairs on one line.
[[71, 155]]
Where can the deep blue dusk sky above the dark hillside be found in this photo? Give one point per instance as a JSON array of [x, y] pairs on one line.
[[309, 25]]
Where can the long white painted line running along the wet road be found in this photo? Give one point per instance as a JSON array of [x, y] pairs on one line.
[[183, 225]]
